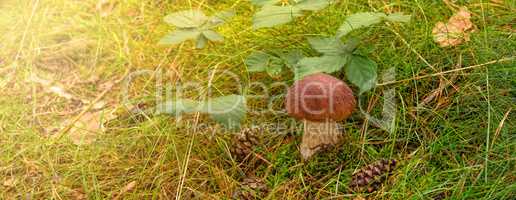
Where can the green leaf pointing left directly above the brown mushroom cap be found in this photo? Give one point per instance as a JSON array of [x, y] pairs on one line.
[[326, 64]]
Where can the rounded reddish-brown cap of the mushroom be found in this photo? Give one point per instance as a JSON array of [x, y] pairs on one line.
[[320, 97]]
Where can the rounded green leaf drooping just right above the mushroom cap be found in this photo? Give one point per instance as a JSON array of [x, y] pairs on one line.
[[361, 71]]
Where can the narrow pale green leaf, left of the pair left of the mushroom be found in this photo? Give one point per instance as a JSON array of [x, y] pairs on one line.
[[178, 107]]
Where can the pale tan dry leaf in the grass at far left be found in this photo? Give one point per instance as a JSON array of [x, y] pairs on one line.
[[88, 127]]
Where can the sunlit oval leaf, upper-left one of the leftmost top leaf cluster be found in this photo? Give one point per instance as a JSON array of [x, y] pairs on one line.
[[186, 18]]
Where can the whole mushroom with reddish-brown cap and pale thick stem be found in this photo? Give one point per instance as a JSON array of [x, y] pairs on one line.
[[319, 100]]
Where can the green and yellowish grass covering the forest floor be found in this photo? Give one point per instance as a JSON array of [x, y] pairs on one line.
[[459, 144]]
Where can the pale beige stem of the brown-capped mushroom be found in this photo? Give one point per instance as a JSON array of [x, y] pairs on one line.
[[317, 136]]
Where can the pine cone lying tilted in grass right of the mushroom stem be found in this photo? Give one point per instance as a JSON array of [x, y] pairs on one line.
[[372, 176]]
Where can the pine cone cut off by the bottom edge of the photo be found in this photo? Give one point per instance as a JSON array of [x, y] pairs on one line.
[[251, 188]]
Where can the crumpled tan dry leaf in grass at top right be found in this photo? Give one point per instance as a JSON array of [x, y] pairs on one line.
[[456, 31]]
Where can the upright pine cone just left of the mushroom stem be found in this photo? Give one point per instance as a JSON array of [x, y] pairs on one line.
[[244, 143]]
